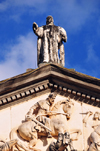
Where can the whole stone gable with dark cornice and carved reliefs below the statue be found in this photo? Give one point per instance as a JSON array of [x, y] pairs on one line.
[[74, 118]]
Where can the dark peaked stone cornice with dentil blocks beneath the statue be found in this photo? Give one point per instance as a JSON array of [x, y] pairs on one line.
[[53, 77]]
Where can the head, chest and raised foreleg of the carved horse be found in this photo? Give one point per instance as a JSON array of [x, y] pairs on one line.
[[61, 112]]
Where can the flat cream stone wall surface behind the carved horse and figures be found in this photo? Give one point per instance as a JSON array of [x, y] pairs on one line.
[[13, 116]]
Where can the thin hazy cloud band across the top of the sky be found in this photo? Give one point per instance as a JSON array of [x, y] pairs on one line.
[[72, 13]]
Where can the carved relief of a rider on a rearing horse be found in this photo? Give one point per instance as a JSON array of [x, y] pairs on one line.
[[49, 119]]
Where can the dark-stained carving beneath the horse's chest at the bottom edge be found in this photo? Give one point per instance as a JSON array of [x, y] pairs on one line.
[[62, 143]]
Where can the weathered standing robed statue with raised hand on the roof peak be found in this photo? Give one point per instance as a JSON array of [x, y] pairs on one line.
[[50, 40]]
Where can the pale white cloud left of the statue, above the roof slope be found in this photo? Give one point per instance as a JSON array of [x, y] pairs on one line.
[[19, 56]]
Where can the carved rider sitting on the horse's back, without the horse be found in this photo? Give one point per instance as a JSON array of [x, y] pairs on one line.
[[41, 109]]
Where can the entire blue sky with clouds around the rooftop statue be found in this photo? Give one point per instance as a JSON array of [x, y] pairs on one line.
[[18, 43]]
